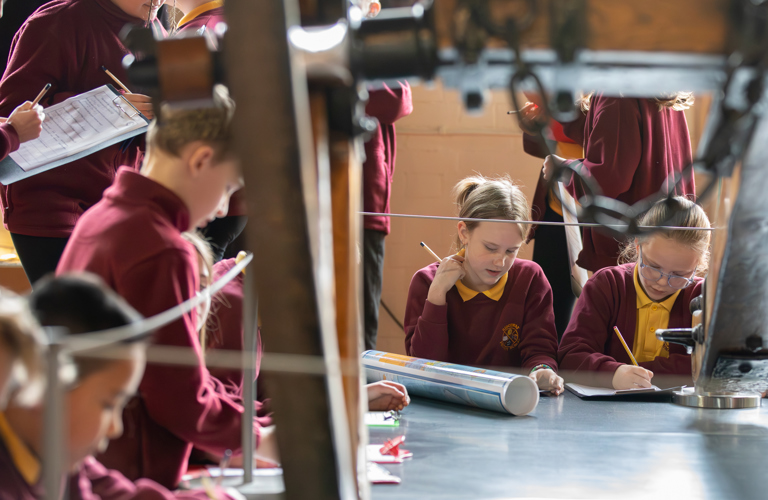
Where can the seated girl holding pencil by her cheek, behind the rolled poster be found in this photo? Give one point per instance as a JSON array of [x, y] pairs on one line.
[[483, 306]]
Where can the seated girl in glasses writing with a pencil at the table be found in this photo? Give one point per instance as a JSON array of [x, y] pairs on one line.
[[652, 290]]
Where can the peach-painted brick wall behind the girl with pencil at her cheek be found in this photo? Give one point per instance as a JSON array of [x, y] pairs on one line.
[[437, 145]]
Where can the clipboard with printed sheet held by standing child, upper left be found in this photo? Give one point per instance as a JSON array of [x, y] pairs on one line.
[[73, 129]]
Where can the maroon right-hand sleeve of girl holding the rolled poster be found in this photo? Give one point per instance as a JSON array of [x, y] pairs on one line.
[[538, 344]]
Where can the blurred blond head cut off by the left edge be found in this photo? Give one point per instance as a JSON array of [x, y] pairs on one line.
[[21, 349]]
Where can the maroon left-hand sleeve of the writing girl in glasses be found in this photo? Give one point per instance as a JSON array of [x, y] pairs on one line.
[[583, 343]]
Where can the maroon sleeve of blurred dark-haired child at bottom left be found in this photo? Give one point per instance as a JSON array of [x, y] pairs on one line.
[[95, 482]]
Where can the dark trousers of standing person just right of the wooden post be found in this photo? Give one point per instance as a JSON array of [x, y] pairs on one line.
[[373, 277]]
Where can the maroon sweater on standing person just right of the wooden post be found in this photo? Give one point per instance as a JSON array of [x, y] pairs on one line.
[[387, 106]]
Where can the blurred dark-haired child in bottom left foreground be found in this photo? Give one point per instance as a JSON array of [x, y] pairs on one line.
[[93, 401]]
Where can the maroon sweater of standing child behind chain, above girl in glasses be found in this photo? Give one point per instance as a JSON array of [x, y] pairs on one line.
[[630, 148]]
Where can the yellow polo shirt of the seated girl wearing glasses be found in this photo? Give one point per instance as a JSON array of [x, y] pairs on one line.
[[651, 316]]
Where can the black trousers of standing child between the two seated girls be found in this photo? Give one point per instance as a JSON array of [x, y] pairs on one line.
[[551, 252]]
